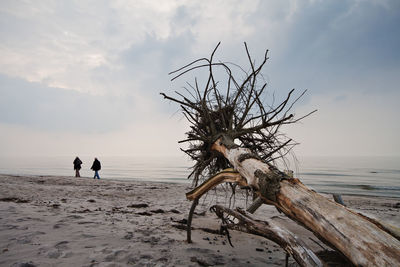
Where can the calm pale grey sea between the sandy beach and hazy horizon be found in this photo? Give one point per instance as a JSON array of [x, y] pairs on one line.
[[377, 176]]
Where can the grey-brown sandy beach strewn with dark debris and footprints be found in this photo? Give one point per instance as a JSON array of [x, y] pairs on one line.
[[66, 221]]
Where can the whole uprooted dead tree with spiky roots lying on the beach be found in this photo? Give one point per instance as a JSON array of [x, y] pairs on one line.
[[237, 129]]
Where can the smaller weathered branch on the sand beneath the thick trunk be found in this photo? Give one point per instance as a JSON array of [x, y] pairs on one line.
[[272, 231]]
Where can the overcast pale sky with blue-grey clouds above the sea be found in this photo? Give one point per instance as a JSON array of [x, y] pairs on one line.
[[84, 77]]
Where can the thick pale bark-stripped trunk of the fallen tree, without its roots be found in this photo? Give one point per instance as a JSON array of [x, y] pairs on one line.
[[361, 240]]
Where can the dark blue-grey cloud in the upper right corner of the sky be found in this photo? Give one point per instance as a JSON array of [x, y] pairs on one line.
[[326, 42]]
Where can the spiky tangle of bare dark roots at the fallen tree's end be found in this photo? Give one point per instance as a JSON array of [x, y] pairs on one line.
[[234, 110]]
